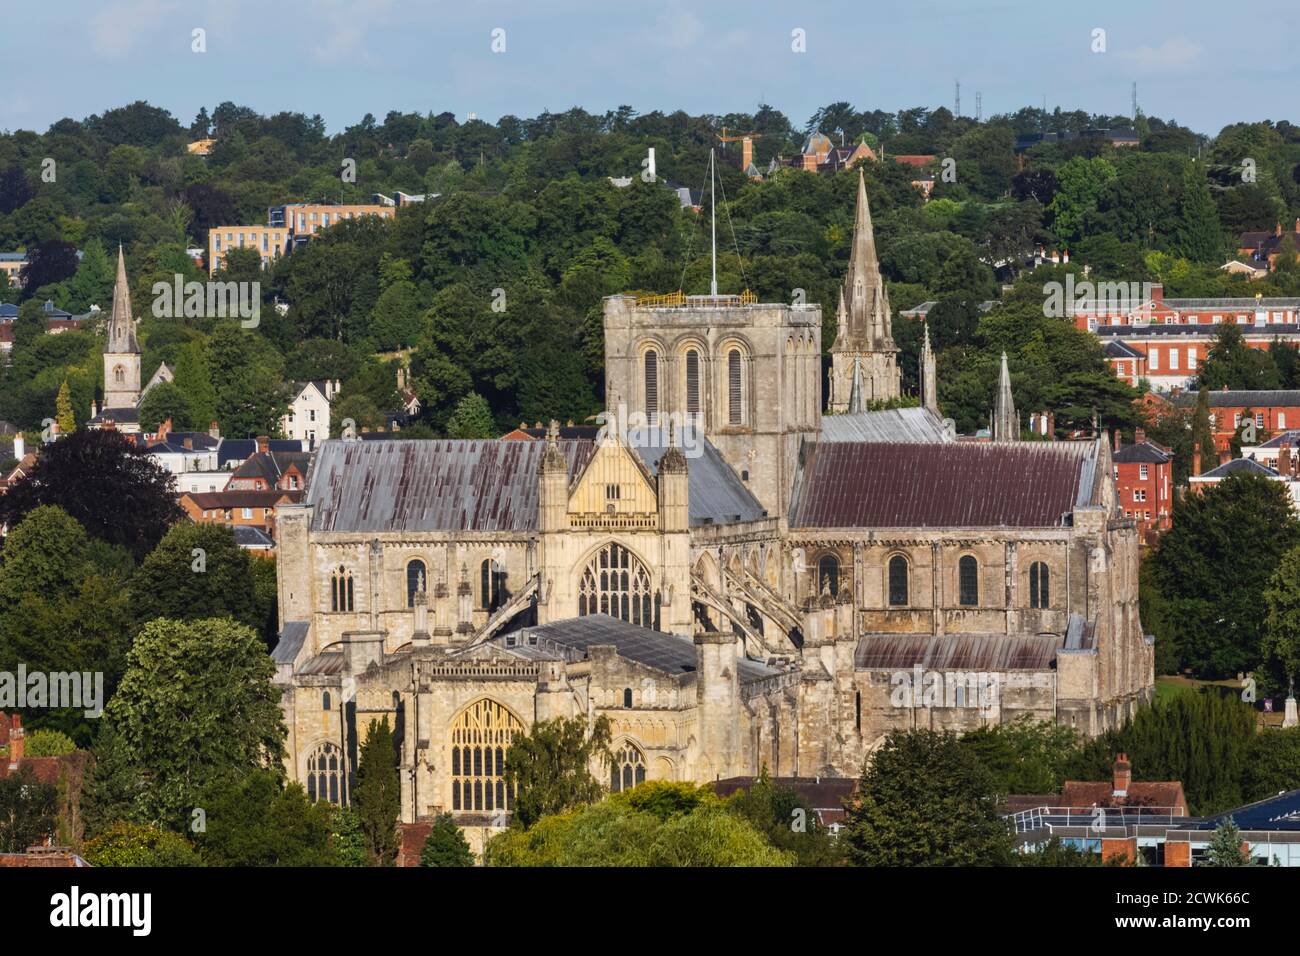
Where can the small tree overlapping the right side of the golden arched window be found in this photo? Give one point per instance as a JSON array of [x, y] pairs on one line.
[[549, 768]]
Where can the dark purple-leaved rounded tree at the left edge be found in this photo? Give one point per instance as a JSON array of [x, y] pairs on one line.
[[101, 479]]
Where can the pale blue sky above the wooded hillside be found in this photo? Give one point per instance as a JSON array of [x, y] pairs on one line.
[[1194, 60]]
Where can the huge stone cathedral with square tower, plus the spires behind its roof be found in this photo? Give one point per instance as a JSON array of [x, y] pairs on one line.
[[735, 573]]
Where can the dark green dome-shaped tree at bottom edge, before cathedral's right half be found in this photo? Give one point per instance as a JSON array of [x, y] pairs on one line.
[[925, 801]]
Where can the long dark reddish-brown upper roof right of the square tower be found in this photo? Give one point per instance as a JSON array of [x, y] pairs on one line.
[[950, 486]]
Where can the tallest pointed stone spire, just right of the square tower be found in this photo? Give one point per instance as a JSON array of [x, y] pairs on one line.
[[864, 343]]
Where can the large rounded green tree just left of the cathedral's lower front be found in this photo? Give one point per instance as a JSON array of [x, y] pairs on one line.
[[172, 712]]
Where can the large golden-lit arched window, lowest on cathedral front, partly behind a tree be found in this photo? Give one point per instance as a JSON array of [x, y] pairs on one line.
[[480, 738]]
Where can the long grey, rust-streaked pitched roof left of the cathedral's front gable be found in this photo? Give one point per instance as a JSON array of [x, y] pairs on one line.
[[431, 486]]
